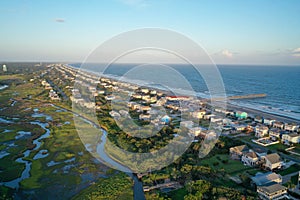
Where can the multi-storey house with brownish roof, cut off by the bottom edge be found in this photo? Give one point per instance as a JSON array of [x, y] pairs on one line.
[[272, 192]]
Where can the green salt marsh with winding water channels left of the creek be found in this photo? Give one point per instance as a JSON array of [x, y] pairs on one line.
[[62, 145]]
